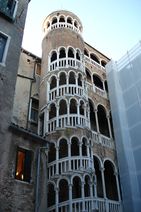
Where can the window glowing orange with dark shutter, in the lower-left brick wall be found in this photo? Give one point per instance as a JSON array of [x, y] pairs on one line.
[[23, 165]]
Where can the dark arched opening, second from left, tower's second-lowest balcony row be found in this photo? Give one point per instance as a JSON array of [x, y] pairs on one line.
[[63, 148]]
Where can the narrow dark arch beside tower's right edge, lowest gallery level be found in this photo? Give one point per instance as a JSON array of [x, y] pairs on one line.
[[97, 168]]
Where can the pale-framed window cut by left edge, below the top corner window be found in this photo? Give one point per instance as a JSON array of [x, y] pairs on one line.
[[3, 41]]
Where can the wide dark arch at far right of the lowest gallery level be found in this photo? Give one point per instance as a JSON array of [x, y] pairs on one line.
[[110, 181]]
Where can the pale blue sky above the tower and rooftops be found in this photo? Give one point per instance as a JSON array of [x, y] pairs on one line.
[[111, 26]]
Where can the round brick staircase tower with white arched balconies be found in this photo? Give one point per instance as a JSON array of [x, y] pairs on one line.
[[65, 116]]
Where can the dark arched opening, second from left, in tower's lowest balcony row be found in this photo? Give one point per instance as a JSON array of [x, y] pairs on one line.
[[63, 190]]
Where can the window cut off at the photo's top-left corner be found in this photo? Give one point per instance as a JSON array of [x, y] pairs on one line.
[[8, 8]]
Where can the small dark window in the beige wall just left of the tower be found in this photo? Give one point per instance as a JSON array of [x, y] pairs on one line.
[[34, 110]]
